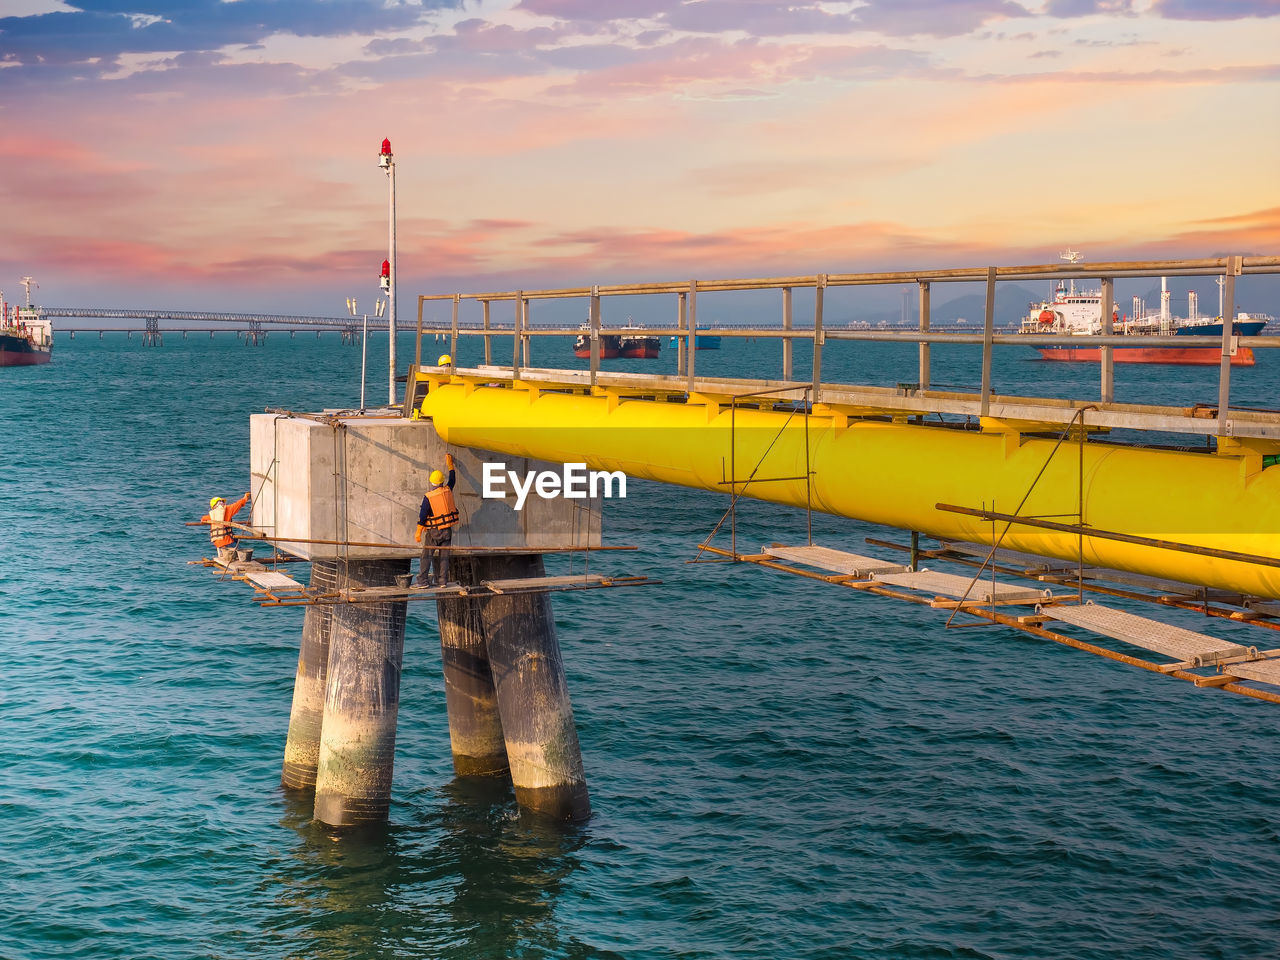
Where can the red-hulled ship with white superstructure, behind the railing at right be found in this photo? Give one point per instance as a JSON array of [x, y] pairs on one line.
[[1080, 314]]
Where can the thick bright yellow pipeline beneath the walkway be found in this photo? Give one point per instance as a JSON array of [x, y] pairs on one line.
[[897, 473]]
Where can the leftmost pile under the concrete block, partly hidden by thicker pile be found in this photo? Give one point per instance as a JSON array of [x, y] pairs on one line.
[[303, 747]]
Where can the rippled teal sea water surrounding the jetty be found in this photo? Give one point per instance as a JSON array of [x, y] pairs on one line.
[[778, 769]]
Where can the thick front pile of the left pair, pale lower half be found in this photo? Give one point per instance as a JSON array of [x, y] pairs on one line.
[[358, 740]]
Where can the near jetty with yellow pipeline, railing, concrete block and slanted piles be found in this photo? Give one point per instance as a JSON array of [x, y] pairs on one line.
[[1057, 518]]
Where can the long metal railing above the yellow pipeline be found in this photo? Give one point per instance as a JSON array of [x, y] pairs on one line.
[[687, 330]]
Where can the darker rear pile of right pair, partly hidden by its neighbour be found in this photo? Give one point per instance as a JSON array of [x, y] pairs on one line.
[[476, 725]]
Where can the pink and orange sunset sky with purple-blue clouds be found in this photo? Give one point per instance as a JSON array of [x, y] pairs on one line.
[[214, 154]]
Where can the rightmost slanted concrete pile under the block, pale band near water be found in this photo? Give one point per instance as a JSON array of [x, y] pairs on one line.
[[533, 696]]
